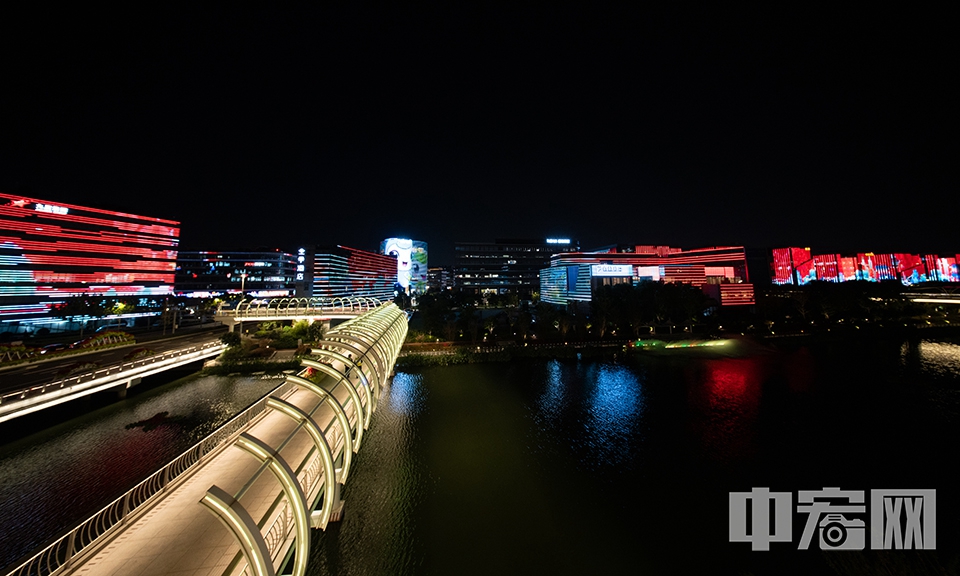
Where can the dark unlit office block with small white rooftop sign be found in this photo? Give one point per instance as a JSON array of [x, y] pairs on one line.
[[506, 265]]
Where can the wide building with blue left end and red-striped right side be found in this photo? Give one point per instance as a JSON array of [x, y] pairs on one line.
[[721, 272]]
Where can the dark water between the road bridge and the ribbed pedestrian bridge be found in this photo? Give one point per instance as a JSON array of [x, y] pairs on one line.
[[51, 480]]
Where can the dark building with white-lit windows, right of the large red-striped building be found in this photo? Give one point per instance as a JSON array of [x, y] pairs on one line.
[[258, 274]]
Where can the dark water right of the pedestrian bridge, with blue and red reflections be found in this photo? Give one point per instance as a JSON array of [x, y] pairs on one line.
[[567, 467]]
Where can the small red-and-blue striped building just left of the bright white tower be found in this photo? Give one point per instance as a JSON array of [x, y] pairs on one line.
[[342, 272]]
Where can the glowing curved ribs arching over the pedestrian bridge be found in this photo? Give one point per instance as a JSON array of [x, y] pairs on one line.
[[359, 356]]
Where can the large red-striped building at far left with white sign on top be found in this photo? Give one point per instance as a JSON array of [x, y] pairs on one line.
[[50, 251]]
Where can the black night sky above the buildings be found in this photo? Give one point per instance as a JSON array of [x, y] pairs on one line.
[[278, 127]]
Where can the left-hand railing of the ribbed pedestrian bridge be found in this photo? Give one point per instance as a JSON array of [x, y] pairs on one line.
[[59, 554]]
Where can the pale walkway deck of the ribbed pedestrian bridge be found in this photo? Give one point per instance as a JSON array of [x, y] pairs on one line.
[[179, 536]]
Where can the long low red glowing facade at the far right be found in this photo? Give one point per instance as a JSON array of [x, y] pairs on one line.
[[797, 266]]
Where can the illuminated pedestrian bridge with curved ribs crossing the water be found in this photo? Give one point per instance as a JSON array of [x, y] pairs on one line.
[[245, 499]]
